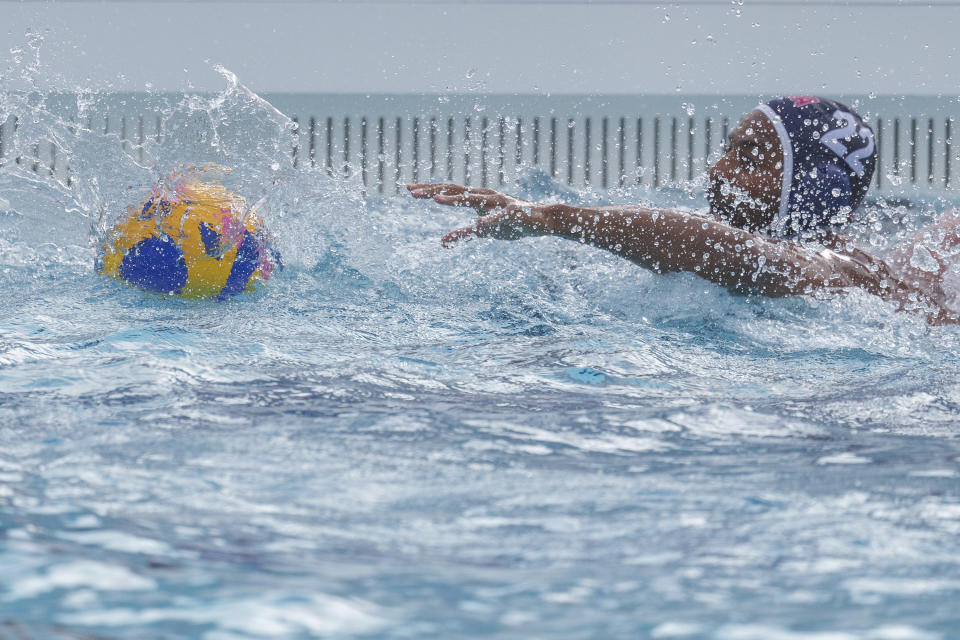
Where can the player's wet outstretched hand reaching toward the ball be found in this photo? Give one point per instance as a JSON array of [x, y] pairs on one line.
[[509, 218]]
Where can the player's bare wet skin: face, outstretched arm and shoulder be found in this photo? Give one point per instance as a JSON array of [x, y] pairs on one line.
[[726, 247]]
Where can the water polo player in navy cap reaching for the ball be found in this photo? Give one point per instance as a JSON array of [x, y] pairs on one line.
[[795, 171]]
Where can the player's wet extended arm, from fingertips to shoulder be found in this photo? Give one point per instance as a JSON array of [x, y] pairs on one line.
[[663, 240]]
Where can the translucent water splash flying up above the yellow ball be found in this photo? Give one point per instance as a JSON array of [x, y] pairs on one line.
[[68, 165]]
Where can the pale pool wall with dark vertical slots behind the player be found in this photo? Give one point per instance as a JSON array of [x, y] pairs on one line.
[[487, 140]]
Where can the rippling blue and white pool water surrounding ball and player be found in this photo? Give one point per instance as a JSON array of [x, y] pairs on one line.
[[528, 439]]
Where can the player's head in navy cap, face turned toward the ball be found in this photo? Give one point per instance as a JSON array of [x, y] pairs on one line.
[[794, 166]]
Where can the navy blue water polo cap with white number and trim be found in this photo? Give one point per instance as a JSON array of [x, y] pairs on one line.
[[828, 161]]
